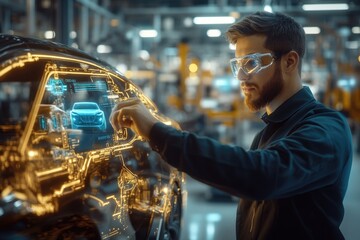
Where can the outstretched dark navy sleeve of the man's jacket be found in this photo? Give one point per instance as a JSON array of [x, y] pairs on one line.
[[310, 158]]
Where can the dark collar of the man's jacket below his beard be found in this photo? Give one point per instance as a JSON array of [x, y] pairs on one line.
[[290, 106]]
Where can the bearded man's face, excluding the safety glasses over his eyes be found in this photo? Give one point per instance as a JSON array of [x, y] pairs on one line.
[[262, 87]]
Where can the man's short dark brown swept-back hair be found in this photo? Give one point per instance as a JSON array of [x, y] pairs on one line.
[[282, 32]]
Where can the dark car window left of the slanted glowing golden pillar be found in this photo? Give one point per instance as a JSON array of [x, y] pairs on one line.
[[18, 94]]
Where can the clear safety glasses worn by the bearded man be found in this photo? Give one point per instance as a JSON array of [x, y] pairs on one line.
[[251, 64]]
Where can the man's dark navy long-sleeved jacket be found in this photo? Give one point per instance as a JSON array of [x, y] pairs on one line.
[[291, 182]]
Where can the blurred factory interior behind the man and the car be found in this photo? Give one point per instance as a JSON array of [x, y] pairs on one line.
[[176, 51]]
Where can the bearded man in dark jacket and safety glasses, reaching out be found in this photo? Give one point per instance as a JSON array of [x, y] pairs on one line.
[[293, 179]]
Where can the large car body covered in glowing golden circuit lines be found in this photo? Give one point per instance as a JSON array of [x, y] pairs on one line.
[[62, 181]]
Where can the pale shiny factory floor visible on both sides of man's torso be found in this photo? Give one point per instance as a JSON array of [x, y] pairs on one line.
[[213, 218]]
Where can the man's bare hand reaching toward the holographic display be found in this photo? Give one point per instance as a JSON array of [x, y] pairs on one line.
[[132, 113]]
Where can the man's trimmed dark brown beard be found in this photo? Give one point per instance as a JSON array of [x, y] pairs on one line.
[[268, 92]]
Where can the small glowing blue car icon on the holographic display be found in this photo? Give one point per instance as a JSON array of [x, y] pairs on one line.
[[86, 115]]
